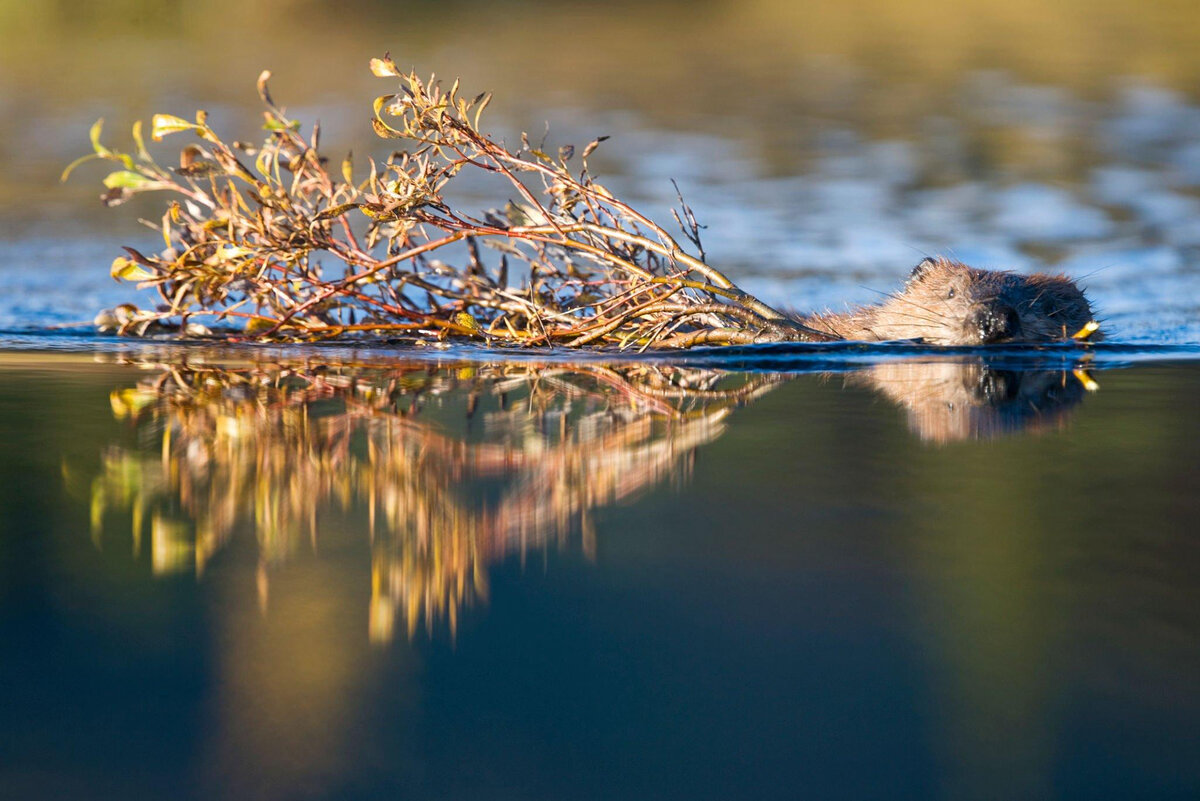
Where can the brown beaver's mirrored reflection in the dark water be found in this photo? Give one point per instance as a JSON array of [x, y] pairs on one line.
[[951, 401]]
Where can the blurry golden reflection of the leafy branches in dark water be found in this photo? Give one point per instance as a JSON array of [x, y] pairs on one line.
[[278, 444]]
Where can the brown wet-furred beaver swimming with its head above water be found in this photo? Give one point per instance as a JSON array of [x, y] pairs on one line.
[[946, 303]]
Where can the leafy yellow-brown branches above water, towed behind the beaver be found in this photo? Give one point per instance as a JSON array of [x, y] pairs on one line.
[[267, 243]]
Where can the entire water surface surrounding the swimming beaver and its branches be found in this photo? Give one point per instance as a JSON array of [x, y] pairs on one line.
[[829, 571]]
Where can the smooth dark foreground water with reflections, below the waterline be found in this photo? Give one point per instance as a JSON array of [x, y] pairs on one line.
[[352, 577]]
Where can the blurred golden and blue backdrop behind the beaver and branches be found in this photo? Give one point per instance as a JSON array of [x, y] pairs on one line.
[[829, 147]]
